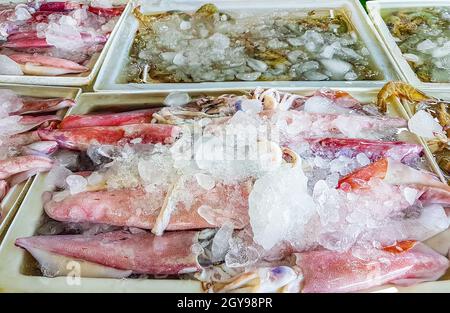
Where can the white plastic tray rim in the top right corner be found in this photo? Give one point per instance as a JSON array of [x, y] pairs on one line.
[[374, 8]]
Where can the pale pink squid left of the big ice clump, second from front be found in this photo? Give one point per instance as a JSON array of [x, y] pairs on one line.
[[162, 208]]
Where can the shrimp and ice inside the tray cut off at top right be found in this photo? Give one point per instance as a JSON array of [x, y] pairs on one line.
[[423, 36]]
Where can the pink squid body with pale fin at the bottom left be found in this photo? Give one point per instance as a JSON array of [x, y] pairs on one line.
[[116, 254]]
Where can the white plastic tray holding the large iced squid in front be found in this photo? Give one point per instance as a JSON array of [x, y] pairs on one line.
[[18, 269]]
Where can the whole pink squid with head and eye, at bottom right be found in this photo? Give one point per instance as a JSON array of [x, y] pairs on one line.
[[319, 271]]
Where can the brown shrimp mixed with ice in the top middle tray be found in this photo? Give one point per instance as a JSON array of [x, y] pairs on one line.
[[210, 45]]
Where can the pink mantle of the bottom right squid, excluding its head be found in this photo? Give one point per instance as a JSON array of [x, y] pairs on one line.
[[330, 271]]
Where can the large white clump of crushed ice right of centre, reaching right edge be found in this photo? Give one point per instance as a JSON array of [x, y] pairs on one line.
[[283, 211]]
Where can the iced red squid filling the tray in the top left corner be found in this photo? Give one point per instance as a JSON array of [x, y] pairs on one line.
[[45, 38]]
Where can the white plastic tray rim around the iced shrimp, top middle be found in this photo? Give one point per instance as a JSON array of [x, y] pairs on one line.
[[111, 75]]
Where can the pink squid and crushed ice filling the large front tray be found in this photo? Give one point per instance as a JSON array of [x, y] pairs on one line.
[[266, 191]]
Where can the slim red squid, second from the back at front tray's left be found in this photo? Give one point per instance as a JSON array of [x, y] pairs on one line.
[[81, 138]]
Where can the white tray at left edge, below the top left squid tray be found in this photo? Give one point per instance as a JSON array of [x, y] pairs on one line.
[[12, 200]]
